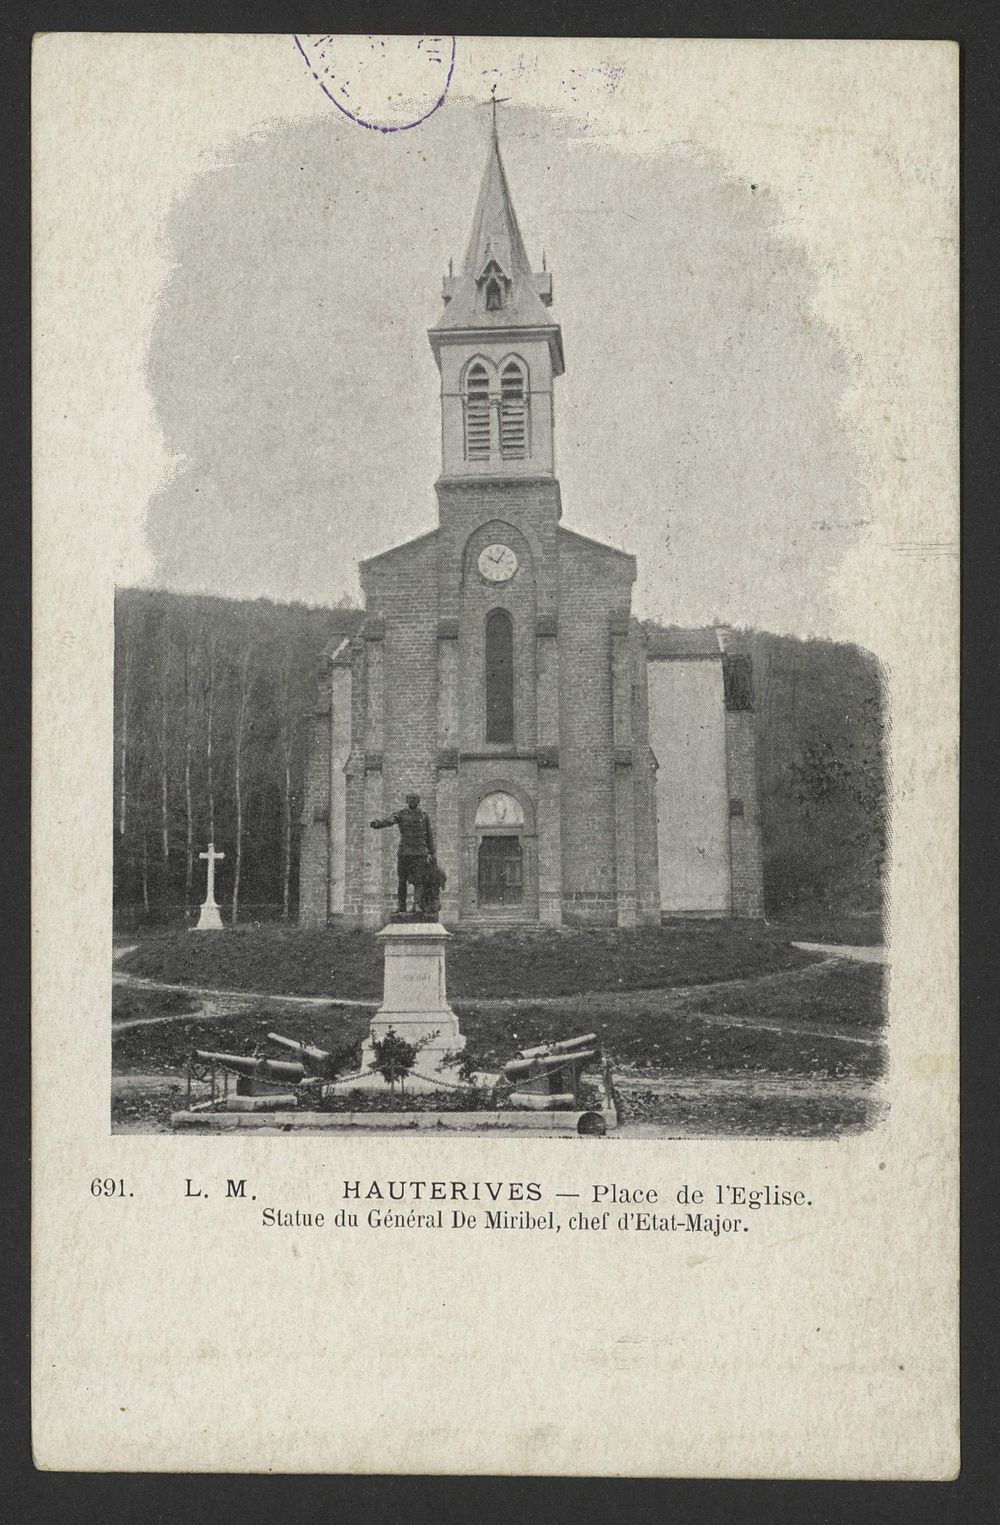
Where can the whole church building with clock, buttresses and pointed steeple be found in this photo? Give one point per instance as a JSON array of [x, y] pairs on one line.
[[577, 766]]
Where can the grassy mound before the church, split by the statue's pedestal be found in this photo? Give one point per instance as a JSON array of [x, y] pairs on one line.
[[518, 962]]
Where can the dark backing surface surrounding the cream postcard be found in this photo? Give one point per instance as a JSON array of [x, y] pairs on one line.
[[161, 1498]]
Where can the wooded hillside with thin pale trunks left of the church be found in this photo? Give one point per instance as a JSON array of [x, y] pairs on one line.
[[211, 727]]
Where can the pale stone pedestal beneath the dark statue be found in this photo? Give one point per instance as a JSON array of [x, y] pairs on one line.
[[415, 1003]]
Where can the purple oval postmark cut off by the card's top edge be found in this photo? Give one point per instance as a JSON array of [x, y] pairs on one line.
[[383, 83]]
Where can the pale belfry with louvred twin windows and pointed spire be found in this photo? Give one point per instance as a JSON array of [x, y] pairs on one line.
[[498, 348]]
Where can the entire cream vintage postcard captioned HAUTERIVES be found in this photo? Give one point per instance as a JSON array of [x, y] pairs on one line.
[[496, 756]]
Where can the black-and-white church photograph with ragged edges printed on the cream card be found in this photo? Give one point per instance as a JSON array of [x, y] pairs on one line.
[[489, 753]]
